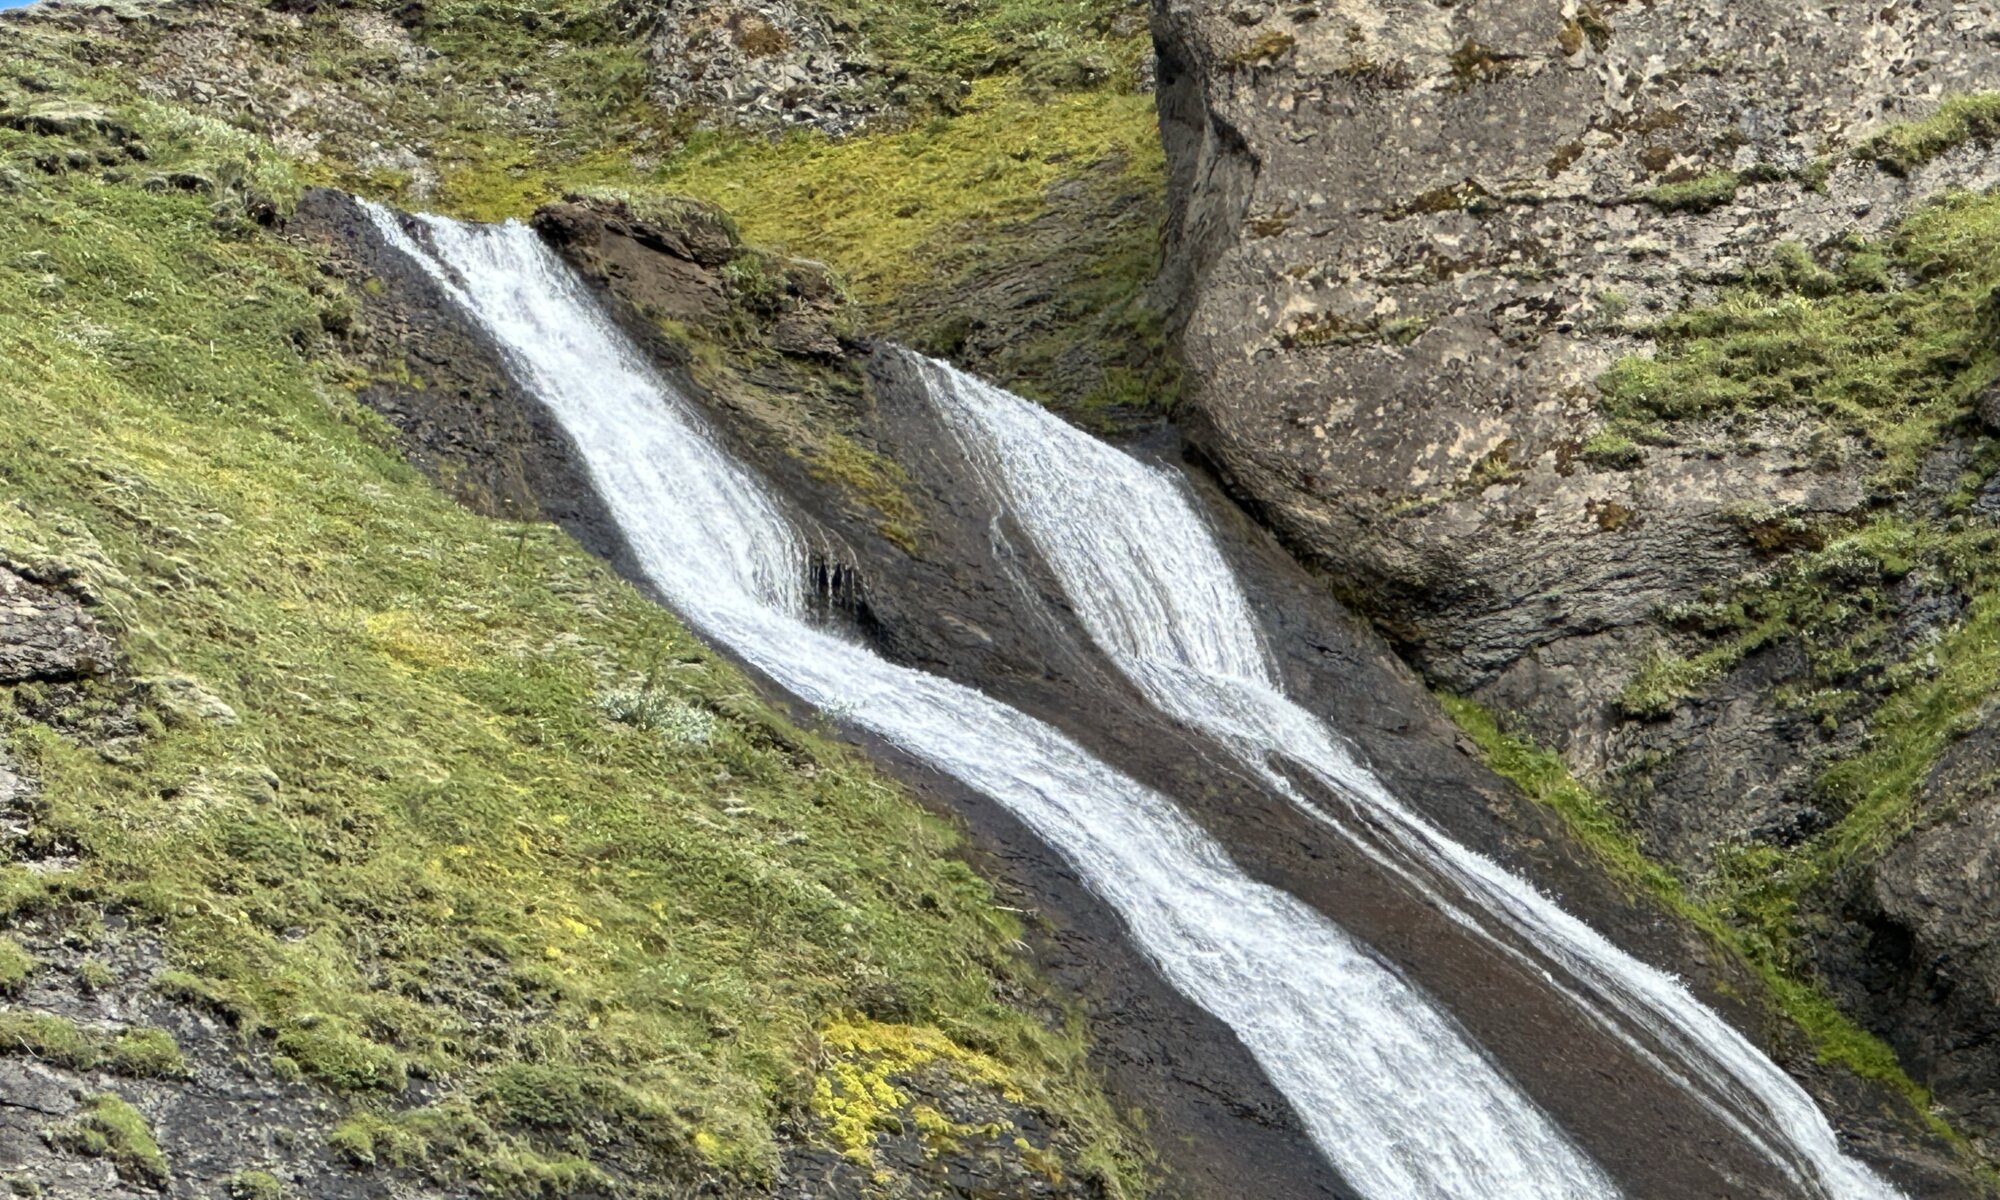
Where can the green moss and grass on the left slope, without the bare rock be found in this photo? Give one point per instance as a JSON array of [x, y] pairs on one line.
[[431, 847]]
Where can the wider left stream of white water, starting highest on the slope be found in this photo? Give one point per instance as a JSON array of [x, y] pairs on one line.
[[1387, 1085]]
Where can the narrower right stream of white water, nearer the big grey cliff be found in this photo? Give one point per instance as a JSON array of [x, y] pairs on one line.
[[1157, 595]]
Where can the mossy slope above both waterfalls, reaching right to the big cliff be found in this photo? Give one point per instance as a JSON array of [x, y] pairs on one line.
[[487, 113]]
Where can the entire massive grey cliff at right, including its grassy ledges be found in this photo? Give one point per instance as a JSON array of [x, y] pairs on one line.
[[1545, 333]]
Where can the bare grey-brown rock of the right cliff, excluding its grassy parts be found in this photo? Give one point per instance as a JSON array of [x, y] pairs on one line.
[[1407, 235]]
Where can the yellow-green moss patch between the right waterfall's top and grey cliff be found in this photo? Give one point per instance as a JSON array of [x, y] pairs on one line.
[[1017, 183]]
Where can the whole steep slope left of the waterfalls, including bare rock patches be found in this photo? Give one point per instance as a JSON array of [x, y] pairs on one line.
[[355, 833]]
